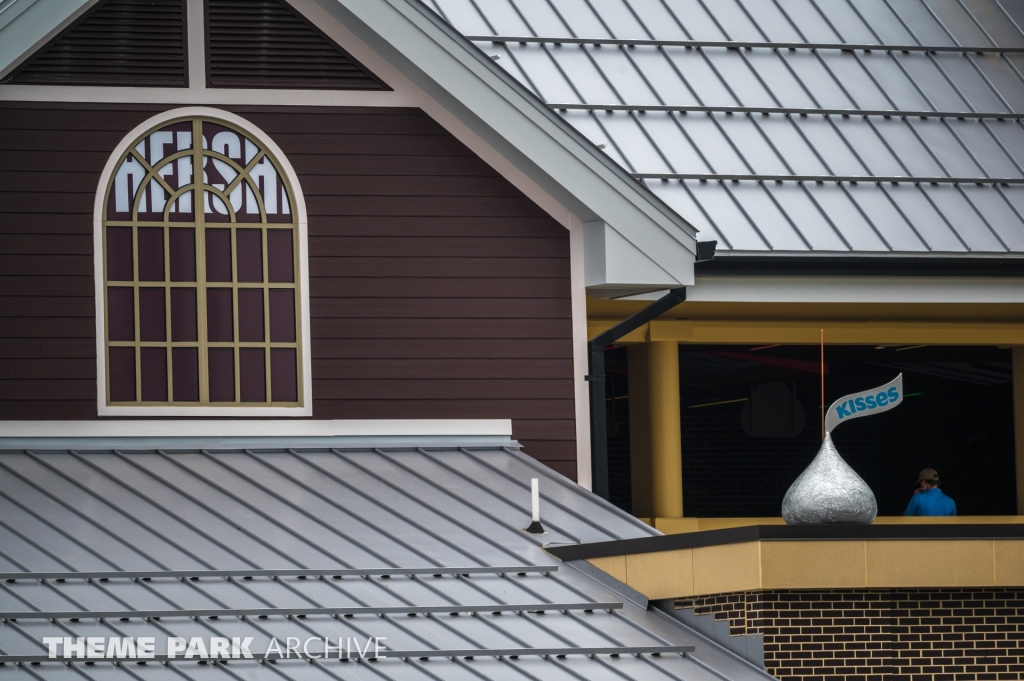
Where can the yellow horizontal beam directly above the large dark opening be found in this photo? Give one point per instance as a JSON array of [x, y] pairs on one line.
[[802, 332]]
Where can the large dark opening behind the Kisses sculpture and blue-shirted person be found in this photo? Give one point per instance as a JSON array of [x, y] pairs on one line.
[[751, 421]]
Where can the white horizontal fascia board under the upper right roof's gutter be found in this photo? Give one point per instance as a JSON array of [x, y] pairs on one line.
[[881, 290]]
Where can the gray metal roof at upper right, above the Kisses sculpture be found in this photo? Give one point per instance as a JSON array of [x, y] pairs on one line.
[[781, 126]]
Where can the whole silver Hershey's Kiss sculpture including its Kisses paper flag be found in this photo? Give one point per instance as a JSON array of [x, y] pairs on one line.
[[829, 492]]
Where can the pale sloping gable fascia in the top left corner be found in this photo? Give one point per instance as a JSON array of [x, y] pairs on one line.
[[28, 25]]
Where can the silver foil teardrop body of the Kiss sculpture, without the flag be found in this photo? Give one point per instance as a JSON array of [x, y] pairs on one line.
[[829, 492]]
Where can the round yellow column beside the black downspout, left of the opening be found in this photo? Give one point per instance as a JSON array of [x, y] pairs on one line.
[[666, 443]]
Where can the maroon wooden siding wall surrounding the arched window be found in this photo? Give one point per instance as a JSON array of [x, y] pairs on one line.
[[438, 290]]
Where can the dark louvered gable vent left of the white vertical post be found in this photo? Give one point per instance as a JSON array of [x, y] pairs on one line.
[[120, 42]]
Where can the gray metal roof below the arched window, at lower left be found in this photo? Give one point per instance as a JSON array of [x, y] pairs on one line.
[[266, 517]]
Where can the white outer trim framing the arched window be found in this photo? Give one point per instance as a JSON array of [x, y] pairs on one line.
[[104, 409]]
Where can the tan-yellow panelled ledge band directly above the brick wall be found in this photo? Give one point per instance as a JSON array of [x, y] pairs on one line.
[[820, 565]]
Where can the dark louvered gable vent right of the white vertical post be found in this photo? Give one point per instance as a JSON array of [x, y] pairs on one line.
[[264, 44]]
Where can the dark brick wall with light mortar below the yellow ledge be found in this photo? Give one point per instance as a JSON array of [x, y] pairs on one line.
[[891, 634]]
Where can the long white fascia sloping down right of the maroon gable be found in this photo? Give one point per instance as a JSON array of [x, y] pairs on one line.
[[516, 124]]
